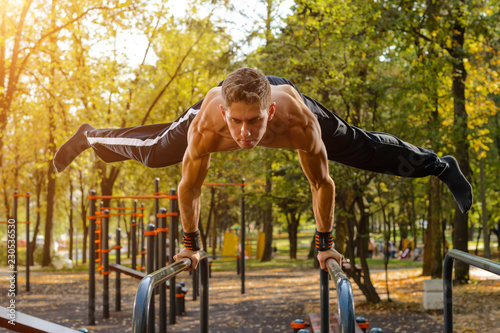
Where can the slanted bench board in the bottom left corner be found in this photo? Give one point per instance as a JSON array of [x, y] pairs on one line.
[[28, 324]]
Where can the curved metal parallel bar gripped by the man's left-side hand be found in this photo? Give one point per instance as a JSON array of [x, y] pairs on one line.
[[147, 285]]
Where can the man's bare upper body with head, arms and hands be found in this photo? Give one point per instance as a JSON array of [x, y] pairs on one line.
[[231, 119]]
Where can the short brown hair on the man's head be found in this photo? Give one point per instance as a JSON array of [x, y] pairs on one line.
[[246, 85]]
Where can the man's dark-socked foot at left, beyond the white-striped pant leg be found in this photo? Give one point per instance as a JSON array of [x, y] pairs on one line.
[[72, 148]]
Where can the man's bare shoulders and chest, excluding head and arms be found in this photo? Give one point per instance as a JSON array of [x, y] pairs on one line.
[[293, 125]]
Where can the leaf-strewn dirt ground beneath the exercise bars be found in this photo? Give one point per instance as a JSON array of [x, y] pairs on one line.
[[272, 300]]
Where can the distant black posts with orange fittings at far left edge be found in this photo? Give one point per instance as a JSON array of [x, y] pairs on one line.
[[14, 221]]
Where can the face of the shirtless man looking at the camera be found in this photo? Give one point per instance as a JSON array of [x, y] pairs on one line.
[[247, 122]]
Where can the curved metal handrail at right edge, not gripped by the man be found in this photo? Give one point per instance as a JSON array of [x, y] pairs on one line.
[[470, 259]]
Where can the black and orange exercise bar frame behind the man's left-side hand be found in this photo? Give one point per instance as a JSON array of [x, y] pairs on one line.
[[98, 218]]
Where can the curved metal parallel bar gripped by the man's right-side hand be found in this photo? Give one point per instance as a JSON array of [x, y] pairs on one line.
[[345, 299]]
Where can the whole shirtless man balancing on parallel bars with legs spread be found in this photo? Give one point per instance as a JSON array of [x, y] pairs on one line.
[[247, 110]]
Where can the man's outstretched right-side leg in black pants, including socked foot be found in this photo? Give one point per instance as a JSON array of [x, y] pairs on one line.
[[385, 153]]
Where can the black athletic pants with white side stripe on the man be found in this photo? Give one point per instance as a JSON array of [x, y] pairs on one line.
[[161, 145]]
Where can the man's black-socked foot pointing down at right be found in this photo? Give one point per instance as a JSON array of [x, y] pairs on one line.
[[457, 183]]
